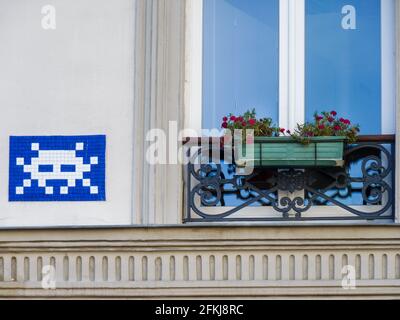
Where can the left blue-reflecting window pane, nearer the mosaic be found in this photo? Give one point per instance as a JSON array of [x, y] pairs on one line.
[[240, 58]]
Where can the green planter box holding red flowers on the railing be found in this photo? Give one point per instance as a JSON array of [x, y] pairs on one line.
[[286, 152]]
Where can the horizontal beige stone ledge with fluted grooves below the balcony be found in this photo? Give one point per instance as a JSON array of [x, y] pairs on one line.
[[206, 262]]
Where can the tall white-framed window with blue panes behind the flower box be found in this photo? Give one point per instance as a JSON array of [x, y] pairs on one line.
[[289, 59]]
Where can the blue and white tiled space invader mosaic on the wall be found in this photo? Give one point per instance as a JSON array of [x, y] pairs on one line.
[[57, 168]]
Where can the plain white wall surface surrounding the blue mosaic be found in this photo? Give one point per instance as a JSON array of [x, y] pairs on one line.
[[75, 80]]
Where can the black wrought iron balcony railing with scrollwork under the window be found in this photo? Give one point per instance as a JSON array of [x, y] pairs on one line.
[[361, 189]]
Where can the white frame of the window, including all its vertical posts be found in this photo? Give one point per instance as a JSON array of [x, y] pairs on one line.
[[291, 75]]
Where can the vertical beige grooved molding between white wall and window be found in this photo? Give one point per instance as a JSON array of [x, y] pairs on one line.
[[159, 74]]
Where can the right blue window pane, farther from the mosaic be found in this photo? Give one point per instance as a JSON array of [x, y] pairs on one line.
[[343, 60]]
